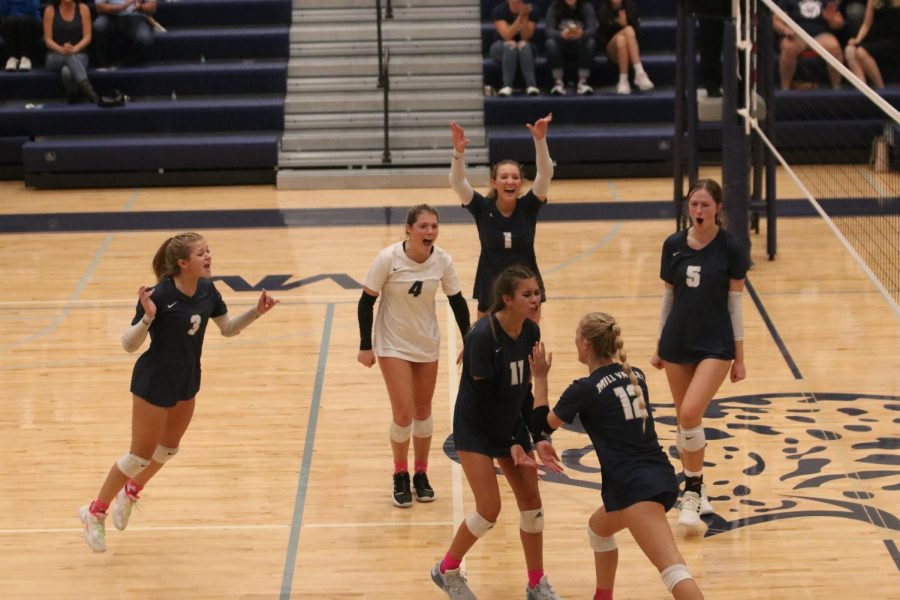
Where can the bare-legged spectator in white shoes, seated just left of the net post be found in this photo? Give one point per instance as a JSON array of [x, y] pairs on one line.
[[619, 22]]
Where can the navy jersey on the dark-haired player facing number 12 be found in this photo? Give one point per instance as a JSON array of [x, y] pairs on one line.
[[489, 353]]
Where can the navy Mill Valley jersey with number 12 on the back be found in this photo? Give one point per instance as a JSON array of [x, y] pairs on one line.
[[632, 464]]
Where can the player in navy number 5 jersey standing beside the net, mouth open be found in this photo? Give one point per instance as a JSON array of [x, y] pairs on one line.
[[701, 329]]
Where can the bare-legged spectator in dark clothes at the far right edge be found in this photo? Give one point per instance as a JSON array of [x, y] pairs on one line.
[[877, 42]]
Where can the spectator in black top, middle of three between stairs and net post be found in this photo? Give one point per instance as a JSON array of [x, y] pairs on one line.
[[571, 27]]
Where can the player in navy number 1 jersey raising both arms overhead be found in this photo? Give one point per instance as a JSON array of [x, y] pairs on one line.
[[506, 221]]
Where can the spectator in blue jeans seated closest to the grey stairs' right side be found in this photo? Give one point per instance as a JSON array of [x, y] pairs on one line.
[[515, 21]]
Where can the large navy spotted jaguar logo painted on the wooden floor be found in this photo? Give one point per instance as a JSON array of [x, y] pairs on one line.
[[846, 471]]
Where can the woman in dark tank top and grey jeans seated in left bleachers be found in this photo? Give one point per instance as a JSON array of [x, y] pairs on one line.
[[67, 34]]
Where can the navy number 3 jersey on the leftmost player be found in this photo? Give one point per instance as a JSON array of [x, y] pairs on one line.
[[169, 370]]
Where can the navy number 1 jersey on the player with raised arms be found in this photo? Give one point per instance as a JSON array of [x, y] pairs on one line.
[[505, 241]]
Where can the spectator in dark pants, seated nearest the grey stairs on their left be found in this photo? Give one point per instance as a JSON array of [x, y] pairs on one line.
[[127, 20]]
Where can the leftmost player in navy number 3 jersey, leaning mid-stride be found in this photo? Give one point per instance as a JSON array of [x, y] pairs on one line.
[[166, 378]]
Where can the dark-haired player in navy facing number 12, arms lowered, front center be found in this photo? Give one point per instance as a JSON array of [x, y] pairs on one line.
[[490, 423]]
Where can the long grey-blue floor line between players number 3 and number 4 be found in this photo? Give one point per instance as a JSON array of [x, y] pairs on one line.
[[287, 579]]
